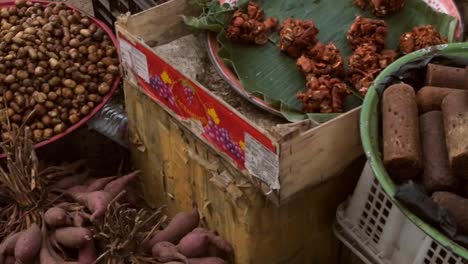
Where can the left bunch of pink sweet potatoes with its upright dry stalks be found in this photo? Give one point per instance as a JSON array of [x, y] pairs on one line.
[[44, 213]]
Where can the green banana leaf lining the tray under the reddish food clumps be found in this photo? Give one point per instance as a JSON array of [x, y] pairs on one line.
[[265, 70]]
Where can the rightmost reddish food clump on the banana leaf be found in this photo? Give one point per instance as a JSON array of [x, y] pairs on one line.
[[419, 38]]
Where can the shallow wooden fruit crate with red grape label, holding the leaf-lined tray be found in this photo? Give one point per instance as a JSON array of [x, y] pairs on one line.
[[284, 159]]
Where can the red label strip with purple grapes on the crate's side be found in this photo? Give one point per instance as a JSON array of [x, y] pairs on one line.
[[225, 129]]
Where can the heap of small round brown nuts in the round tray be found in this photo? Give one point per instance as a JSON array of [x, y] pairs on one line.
[[55, 67]]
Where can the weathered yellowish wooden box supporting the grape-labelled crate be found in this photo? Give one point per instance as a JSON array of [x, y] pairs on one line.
[[178, 168]]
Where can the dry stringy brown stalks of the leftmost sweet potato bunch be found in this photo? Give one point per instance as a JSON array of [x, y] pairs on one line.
[[23, 184]]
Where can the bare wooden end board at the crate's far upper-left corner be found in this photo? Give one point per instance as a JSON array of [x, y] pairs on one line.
[[162, 23]]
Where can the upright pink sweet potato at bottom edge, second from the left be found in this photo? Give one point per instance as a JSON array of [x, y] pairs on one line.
[[28, 245]]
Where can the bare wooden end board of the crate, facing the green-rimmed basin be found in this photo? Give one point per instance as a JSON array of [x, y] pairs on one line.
[[319, 154]]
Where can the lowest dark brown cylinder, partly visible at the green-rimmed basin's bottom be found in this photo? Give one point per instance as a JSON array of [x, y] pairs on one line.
[[457, 207]]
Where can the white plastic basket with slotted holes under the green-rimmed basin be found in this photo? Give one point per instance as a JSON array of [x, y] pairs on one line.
[[378, 233]]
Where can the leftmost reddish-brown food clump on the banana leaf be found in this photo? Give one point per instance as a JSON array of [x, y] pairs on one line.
[[248, 27]]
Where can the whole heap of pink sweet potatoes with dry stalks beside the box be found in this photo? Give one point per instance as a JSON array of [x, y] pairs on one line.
[[61, 215]]
